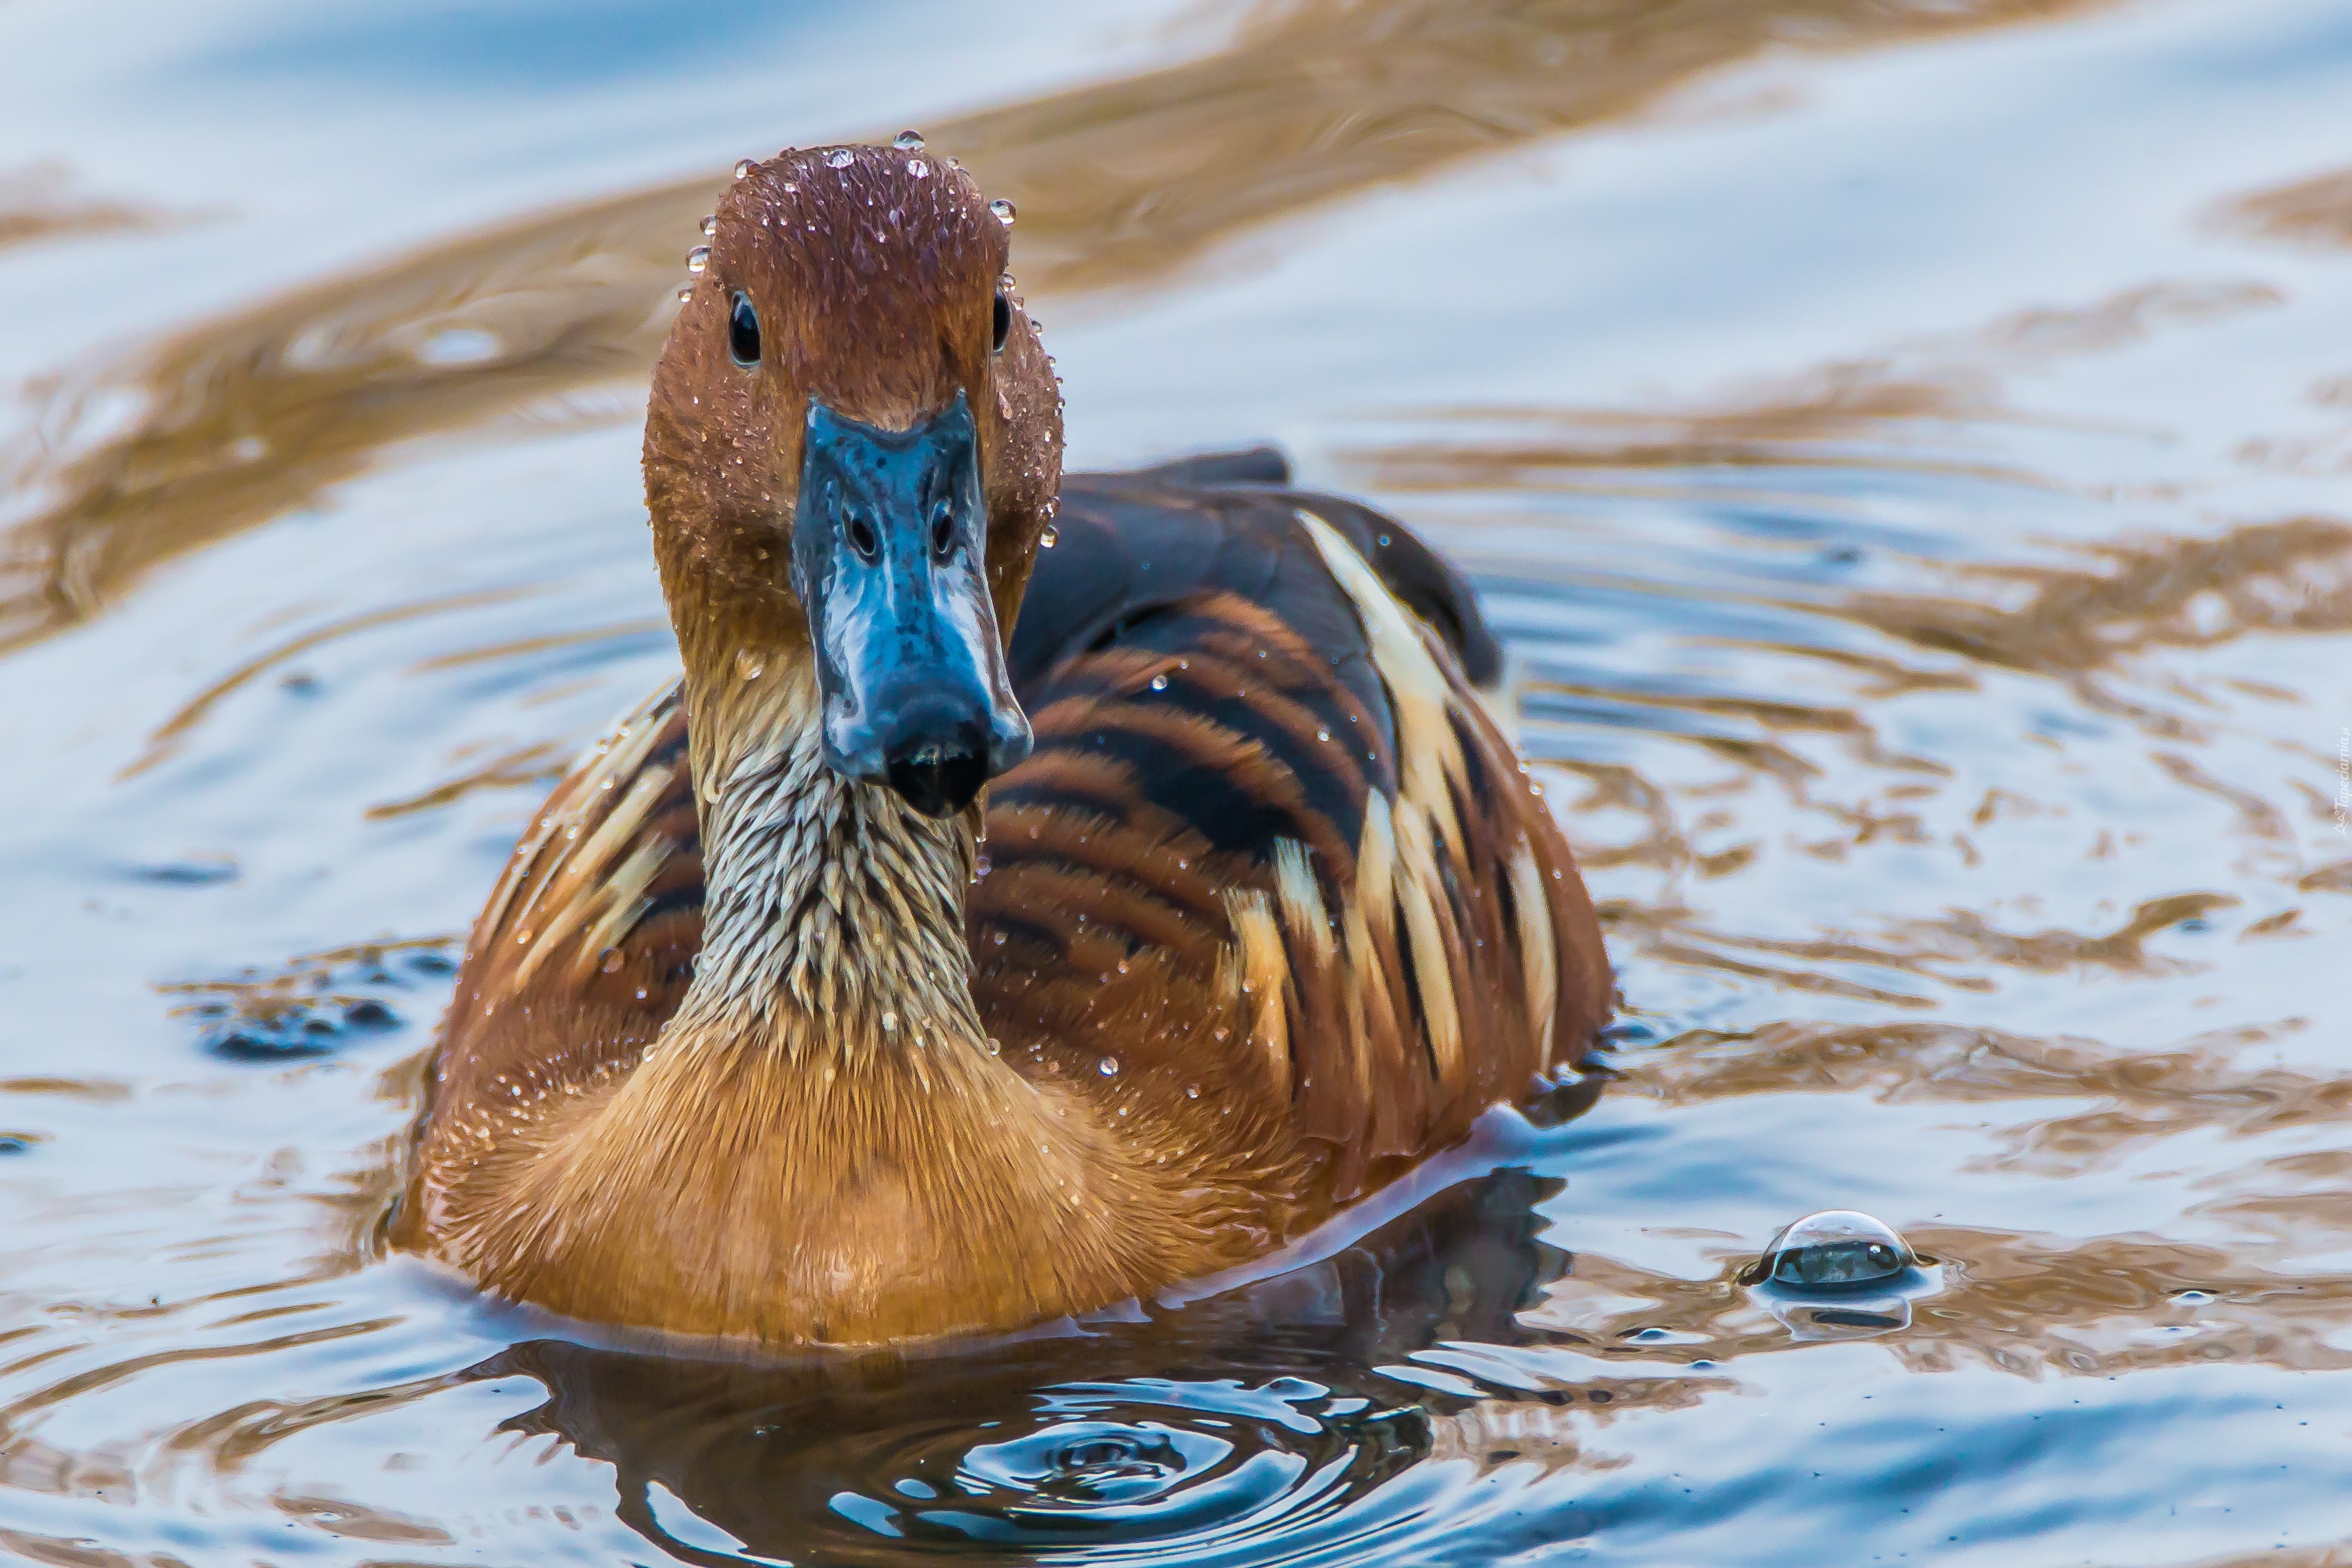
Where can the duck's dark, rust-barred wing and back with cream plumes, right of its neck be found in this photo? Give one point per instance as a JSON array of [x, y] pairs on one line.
[[1271, 843]]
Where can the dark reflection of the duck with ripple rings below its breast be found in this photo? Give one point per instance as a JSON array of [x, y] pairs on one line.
[[1252, 1423]]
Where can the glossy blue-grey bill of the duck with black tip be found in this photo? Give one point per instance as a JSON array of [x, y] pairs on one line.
[[890, 547]]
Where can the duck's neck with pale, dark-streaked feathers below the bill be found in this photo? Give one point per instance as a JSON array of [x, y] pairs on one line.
[[834, 913]]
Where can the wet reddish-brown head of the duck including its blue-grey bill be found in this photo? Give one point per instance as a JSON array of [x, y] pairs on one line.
[[850, 455]]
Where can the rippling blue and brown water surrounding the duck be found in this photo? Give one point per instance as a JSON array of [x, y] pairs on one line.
[[1911, 455]]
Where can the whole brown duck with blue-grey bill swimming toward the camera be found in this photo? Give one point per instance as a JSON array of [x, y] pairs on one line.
[[1034, 892]]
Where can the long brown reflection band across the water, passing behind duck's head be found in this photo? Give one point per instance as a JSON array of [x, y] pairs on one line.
[[1314, 100]]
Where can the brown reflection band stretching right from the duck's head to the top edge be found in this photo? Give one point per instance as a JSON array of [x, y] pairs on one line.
[[1318, 100]]
